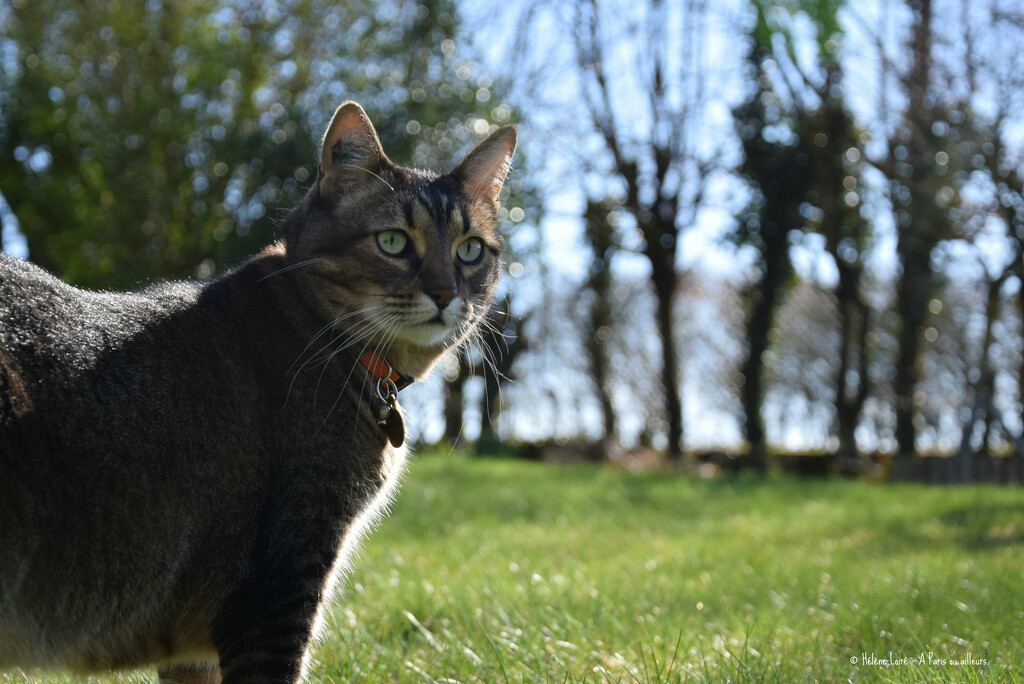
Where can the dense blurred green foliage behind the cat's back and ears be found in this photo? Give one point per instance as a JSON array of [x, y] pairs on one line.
[[166, 140]]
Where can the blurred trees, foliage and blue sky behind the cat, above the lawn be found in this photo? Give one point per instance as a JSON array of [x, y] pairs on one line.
[[741, 234]]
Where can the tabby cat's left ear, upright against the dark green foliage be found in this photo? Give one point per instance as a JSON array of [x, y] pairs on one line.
[[352, 152]]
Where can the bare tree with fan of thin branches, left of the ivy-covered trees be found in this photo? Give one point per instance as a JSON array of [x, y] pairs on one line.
[[662, 168]]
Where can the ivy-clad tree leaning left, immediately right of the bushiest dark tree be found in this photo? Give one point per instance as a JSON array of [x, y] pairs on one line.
[[814, 90]]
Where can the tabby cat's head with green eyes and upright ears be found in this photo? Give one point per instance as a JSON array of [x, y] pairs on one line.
[[406, 263]]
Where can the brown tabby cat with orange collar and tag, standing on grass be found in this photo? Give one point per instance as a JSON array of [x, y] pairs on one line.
[[186, 469]]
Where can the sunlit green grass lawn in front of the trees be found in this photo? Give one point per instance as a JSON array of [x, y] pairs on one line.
[[510, 572]]
